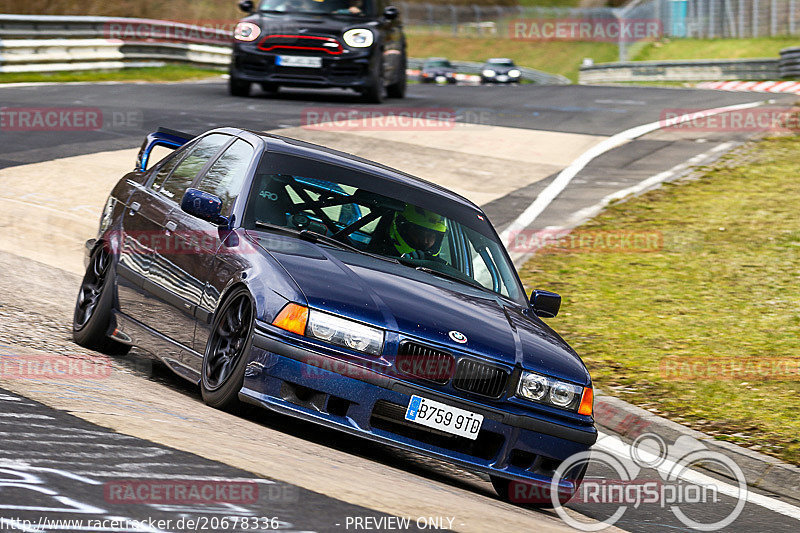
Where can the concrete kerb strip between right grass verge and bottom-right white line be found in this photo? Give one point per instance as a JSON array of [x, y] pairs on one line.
[[761, 471]]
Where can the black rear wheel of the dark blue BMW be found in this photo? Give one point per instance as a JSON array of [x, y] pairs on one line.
[[94, 306]]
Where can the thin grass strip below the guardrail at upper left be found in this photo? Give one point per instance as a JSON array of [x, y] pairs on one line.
[[165, 73]]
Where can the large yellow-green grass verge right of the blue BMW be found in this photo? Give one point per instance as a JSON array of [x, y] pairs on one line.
[[723, 289]]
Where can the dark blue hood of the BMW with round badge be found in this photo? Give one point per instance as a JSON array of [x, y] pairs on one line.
[[402, 299]]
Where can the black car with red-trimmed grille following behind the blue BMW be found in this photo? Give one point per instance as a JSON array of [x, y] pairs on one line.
[[353, 44]]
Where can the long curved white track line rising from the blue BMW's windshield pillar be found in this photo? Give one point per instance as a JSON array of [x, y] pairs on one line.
[[545, 198]]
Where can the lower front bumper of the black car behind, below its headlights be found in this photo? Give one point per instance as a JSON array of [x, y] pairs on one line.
[[346, 71]]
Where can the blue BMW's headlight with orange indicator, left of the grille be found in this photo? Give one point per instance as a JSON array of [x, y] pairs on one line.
[[330, 328]]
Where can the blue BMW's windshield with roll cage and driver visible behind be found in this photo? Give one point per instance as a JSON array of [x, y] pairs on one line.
[[386, 226]]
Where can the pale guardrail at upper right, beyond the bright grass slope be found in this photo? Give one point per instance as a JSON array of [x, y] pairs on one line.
[[695, 70]]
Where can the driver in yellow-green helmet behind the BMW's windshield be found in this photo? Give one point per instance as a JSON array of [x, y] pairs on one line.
[[417, 233]]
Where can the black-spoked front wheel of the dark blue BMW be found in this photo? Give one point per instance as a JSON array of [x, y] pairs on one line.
[[226, 352]]
